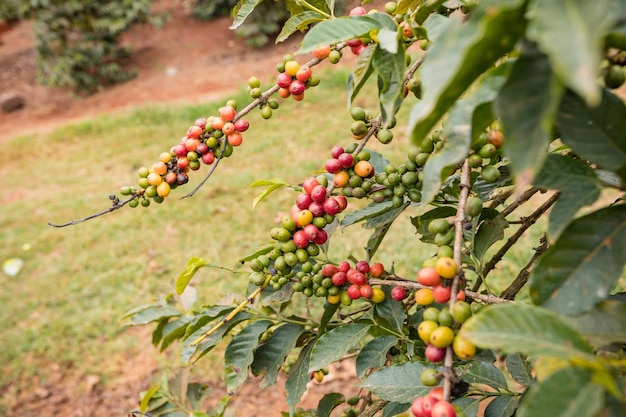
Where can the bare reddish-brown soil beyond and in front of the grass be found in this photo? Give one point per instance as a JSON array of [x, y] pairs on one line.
[[184, 61]]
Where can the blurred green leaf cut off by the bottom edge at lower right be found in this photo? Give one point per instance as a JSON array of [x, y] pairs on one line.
[[568, 392]]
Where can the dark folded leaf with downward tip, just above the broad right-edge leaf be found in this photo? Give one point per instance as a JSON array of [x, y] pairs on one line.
[[578, 185]]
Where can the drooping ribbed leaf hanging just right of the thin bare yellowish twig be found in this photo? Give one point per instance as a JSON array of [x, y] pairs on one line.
[[240, 353]]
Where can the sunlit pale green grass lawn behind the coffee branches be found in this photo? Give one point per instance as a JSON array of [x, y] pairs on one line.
[[65, 305]]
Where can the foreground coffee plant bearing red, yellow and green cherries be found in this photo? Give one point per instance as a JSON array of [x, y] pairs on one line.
[[516, 99]]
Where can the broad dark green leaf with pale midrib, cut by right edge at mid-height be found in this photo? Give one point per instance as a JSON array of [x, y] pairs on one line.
[[579, 270]]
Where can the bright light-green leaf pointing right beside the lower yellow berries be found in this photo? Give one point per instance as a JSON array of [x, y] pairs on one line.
[[531, 330]]
